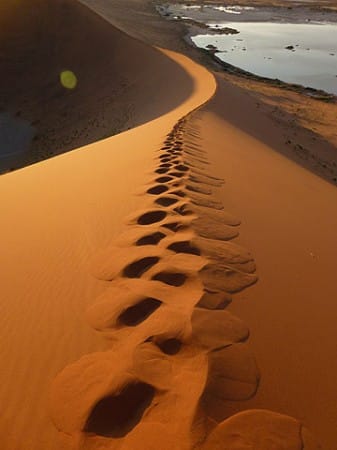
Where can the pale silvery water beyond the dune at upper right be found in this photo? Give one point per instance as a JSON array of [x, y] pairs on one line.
[[260, 48]]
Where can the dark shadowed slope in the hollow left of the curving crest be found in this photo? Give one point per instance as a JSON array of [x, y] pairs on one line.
[[41, 117]]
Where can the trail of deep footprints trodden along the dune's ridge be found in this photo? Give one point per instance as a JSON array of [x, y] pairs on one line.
[[162, 331]]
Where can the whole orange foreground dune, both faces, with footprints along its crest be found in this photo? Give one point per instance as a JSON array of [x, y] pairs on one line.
[[127, 239]]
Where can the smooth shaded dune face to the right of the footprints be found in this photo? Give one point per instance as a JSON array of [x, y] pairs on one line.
[[289, 222]]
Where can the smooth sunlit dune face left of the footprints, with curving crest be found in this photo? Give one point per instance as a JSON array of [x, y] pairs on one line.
[[70, 207]]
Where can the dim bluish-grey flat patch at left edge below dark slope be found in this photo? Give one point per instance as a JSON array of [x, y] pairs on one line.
[[16, 136]]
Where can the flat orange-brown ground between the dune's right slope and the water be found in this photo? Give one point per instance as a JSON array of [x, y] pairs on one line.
[[306, 126]]
